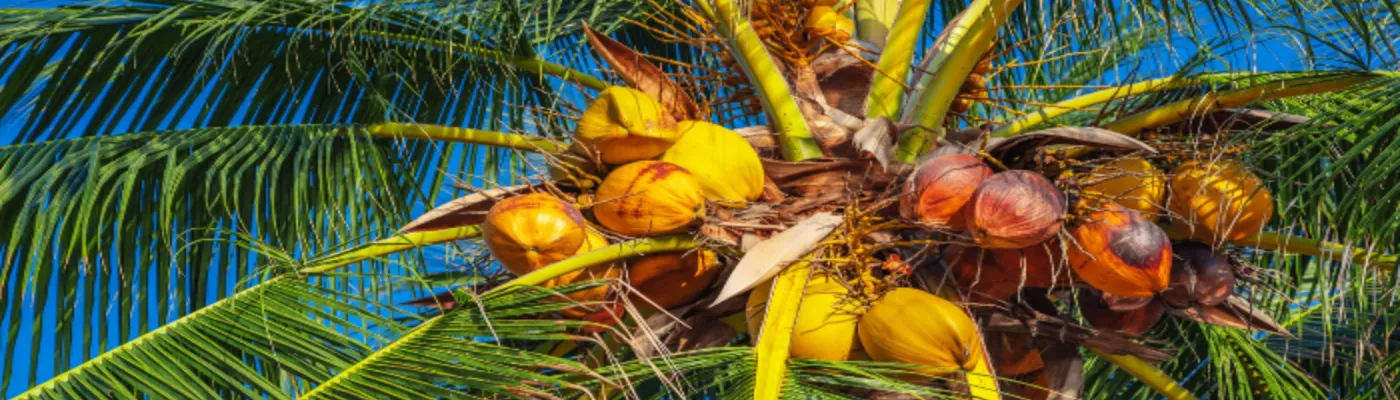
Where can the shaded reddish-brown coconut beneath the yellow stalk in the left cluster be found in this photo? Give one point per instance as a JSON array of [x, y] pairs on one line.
[[671, 280]]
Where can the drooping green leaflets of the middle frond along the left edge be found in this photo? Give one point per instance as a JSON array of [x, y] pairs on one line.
[[83, 213]]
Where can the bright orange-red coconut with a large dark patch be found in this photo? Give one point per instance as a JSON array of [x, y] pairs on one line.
[[1121, 252]]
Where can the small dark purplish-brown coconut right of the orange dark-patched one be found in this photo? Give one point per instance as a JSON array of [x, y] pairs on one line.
[[1199, 278]]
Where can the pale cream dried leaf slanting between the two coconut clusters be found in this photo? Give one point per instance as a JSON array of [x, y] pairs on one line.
[[771, 257]]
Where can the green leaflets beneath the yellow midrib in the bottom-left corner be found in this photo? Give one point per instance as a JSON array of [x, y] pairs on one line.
[[269, 342]]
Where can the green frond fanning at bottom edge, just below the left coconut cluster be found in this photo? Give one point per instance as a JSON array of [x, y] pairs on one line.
[[474, 350]]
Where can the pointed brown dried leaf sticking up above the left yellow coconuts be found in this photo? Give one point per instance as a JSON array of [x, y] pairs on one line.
[[643, 76]]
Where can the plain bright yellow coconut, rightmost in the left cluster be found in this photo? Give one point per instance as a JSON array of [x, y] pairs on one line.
[[726, 166]]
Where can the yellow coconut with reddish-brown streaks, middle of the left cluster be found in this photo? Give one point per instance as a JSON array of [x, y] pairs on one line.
[[649, 198]]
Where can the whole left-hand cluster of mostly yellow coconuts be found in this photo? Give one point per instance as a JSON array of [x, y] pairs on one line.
[[660, 176]]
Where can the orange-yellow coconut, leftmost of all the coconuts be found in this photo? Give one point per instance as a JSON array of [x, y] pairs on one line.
[[531, 231]]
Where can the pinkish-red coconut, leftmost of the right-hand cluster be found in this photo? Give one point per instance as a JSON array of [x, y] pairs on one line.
[[939, 191]]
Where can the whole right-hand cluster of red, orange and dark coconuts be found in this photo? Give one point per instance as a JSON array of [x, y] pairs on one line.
[[1025, 234]]
